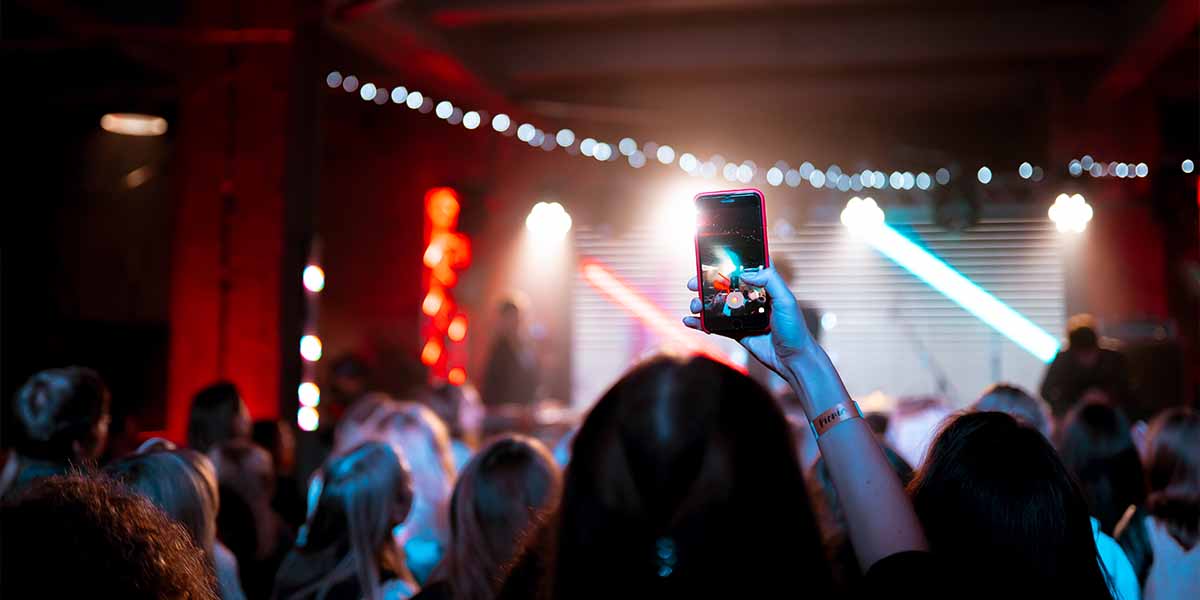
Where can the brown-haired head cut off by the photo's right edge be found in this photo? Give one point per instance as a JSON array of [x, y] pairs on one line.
[[1173, 472]]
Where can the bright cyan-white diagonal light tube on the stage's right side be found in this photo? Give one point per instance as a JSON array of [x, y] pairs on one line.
[[965, 293]]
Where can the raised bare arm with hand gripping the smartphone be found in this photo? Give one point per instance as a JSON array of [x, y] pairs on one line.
[[879, 513]]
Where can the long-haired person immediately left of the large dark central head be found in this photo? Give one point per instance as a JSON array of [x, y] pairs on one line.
[[501, 496]]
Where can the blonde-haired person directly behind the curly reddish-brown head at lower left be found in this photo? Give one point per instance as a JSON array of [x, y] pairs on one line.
[[183, 484]]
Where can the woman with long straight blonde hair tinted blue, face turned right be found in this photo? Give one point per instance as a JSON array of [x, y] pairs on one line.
[[350, 551]]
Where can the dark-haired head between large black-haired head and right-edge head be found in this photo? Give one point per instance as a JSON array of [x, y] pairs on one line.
[[1096, 447]]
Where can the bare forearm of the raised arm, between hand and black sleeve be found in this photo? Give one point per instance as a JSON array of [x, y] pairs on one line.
[[879, 514]]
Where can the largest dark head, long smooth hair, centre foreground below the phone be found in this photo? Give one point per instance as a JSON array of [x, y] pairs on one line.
[[685, 483]]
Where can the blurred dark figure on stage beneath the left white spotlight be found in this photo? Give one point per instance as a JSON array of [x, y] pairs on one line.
[[512, 373]]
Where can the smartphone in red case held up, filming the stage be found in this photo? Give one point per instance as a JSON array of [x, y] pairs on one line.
[[731, 241]]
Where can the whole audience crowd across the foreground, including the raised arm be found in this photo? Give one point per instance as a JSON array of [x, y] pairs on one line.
[[685, 481]]
